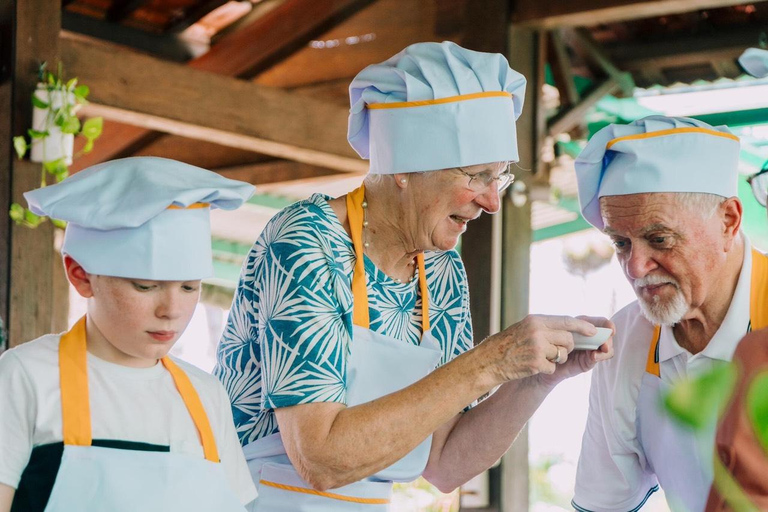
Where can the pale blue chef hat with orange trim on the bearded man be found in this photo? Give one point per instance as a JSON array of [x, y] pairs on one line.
[[656, 154]]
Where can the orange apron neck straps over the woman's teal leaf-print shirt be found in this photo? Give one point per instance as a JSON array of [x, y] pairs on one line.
[[360, 314]]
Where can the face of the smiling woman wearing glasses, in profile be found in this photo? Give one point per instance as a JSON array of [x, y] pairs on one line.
[[443, 202]]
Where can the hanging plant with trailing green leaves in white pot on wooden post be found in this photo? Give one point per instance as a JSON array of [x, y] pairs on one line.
[[51, 139]]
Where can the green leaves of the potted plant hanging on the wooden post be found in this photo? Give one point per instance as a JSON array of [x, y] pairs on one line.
[[63, 116]]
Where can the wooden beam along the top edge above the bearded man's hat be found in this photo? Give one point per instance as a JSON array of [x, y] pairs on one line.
[[558, 13]]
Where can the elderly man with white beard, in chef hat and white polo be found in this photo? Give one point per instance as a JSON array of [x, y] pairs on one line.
[[664, 189]]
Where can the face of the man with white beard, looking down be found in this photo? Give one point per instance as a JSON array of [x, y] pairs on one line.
[[670, 254]]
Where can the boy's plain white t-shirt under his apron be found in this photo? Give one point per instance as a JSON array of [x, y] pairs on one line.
[[127, 404]]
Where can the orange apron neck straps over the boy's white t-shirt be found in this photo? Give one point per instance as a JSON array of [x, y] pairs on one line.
[[75, 401]]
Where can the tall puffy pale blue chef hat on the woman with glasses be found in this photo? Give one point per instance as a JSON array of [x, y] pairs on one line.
[[435, 106]]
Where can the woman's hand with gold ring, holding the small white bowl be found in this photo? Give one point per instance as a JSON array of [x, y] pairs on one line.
[[531, 346]]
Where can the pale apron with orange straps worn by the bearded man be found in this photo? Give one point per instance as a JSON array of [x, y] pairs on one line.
[[680, 457]]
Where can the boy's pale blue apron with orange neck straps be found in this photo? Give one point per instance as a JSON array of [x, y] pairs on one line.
[[94, 478]]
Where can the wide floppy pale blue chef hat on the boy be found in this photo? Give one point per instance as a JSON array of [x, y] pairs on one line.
[[141, 217]]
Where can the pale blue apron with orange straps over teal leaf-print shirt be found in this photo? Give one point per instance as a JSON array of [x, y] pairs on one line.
[[377, 366]]
